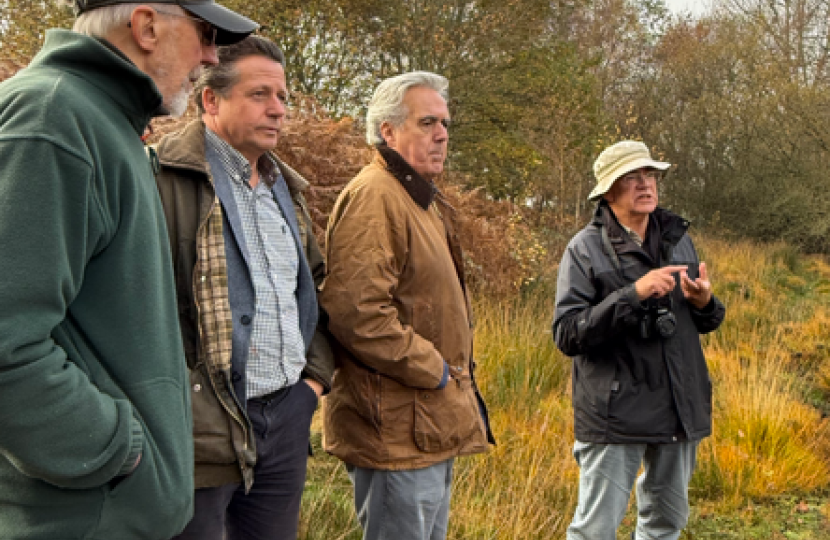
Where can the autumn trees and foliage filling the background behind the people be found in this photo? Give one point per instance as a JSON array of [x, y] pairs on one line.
[[738, 100]]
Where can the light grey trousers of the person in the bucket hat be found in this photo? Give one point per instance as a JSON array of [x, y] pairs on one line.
[[607, 473]]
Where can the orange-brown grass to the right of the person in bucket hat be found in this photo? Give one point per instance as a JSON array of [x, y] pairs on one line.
[[767, 439]]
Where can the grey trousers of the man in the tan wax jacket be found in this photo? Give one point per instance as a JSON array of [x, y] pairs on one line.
[[403, 505]]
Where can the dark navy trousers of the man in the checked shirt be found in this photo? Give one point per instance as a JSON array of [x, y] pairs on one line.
[[271, 510]]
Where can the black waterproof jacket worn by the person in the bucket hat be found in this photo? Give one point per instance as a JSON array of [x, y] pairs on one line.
[[630, 384]]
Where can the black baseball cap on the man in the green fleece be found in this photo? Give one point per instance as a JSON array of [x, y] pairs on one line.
[[231, 27]]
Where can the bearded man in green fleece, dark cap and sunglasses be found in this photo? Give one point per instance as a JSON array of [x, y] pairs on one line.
[[94, 403]]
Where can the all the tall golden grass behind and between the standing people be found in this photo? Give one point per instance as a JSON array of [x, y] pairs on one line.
[[764, 474]]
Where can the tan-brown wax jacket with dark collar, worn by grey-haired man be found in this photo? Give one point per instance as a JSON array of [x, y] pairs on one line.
[[398, 305]]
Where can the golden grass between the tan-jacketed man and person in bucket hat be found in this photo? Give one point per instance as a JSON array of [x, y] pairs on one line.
[[525, 487]]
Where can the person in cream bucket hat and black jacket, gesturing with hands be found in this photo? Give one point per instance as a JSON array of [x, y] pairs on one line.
[[632, 299]]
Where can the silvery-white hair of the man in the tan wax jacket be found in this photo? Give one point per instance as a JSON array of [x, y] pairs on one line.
[[387, 102]]
